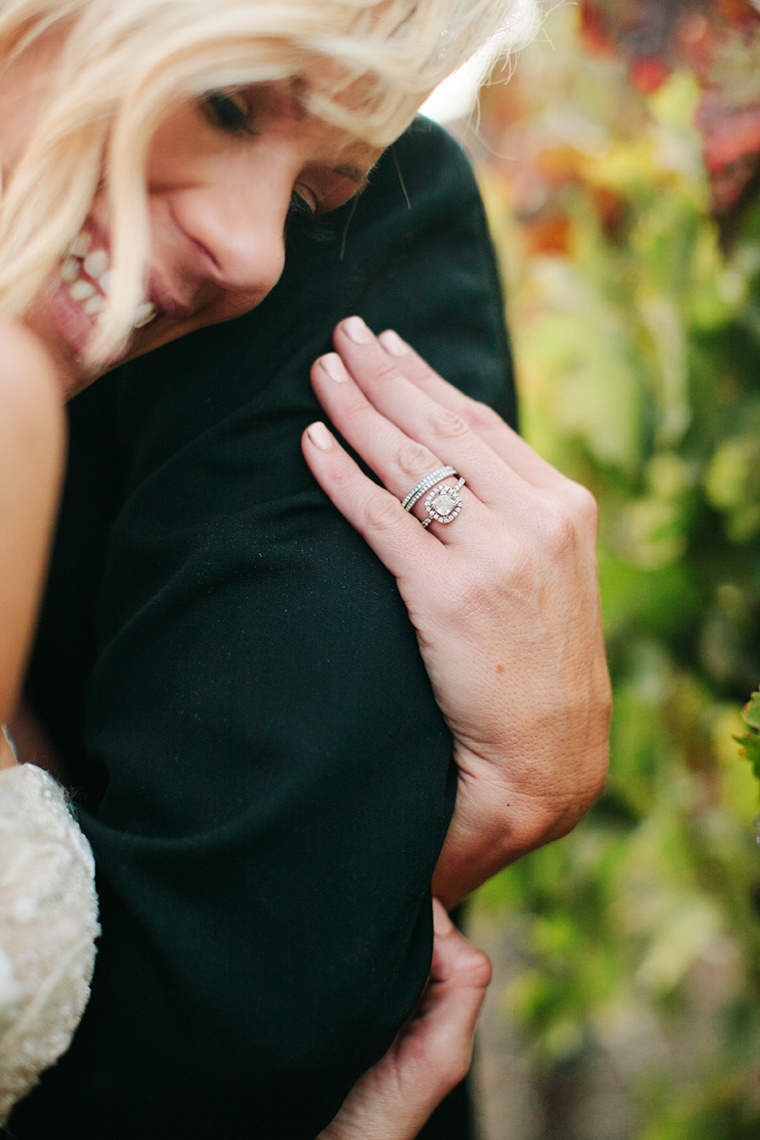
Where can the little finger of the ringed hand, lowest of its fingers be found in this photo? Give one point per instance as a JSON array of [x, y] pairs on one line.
[[394, 534]]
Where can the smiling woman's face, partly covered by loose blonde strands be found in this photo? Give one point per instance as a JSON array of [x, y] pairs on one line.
[[224, 176]]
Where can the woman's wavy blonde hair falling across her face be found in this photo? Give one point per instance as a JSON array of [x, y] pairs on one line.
[[126, 64]]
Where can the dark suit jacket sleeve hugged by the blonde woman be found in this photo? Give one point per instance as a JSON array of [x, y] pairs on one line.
[[235, 688]]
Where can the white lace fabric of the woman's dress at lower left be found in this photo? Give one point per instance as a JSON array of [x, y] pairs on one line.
[[48, 925]]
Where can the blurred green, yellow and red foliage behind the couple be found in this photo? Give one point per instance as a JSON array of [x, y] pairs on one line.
[[622, 173]]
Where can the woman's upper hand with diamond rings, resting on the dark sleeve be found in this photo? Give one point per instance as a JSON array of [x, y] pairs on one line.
[[505, 599]]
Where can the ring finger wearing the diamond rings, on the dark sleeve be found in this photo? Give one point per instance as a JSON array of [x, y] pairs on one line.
[[399, 461]]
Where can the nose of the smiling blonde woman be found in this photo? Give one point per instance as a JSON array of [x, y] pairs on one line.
[[239, 232]]
